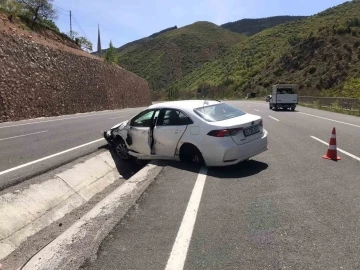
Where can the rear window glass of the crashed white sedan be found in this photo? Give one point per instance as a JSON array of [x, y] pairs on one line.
[[218, 112]]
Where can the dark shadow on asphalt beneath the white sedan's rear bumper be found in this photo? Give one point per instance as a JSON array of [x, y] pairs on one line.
[[241, 170]]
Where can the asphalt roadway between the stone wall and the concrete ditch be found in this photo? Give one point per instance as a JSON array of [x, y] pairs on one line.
[[33, 143]]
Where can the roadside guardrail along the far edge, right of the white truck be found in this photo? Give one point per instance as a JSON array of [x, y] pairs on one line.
[[350, 105]]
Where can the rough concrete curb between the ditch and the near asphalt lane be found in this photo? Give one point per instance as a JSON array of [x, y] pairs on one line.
[[81, 241]]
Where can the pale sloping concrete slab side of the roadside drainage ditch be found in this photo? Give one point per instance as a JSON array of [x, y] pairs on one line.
[[28, 211]]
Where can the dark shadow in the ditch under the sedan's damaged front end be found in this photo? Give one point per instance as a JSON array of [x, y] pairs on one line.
[[125, 168]]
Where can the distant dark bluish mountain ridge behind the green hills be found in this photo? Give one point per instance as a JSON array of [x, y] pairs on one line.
[[251, 27]]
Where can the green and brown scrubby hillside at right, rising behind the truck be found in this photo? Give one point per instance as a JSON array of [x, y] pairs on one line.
[[321, 53]]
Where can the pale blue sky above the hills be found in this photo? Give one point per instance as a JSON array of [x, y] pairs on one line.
[[125, 21]]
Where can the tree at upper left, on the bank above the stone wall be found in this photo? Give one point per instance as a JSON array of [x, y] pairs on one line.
[[38, 10]]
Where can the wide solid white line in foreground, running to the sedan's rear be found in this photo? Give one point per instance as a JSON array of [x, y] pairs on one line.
[[179, 251]]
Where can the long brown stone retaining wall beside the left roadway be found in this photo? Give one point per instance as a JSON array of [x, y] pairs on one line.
[[37, 80]]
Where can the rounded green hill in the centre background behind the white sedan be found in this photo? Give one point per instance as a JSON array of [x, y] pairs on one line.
[[174, 54]]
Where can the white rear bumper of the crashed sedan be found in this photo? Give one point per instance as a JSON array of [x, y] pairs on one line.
[[236, 153]]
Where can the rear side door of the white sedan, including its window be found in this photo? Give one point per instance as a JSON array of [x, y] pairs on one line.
[[168, 131]]
